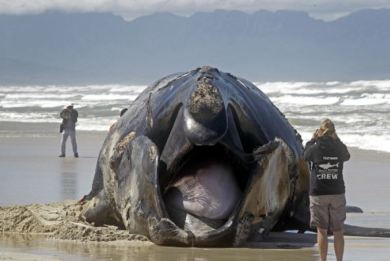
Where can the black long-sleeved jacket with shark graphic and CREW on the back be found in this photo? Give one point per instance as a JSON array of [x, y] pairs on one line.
[[326, 156]]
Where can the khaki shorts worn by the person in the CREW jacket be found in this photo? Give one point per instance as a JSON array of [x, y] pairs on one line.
[[328, 212]]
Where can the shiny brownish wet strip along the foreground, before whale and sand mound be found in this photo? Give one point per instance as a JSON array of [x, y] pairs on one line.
[[44, 249]]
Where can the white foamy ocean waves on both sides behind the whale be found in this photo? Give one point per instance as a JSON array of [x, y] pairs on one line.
[[360, 109]]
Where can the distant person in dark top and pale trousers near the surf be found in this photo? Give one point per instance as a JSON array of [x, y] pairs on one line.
[[68, 128]]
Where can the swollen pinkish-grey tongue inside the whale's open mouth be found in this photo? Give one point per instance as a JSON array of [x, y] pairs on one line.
[[208, 193]]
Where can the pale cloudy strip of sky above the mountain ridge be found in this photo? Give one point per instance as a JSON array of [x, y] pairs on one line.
[[130, 9]]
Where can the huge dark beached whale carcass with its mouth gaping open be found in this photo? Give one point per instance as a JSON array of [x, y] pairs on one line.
[[201, 158]]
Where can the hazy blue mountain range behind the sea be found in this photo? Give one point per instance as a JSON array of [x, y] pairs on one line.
[[101, 48]]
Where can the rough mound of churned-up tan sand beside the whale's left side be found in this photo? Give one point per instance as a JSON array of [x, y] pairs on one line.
[[59, 221]]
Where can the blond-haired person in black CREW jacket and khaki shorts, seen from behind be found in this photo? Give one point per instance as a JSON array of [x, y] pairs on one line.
[[326, 153]]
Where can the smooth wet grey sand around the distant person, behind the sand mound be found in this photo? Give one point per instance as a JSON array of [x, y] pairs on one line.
[[31, 171]]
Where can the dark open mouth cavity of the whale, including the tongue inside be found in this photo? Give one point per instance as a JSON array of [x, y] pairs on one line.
[[206, 186]]
